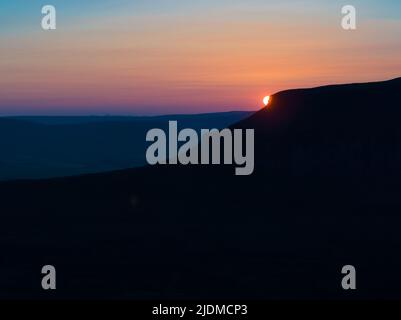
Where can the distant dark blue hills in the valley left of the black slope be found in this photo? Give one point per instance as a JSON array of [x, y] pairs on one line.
[[43, 147]]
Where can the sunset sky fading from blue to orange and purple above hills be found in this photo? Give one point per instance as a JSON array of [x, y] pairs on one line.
[[144, 57]]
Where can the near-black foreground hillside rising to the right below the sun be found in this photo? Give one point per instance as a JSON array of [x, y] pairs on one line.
[[325, 193]]
